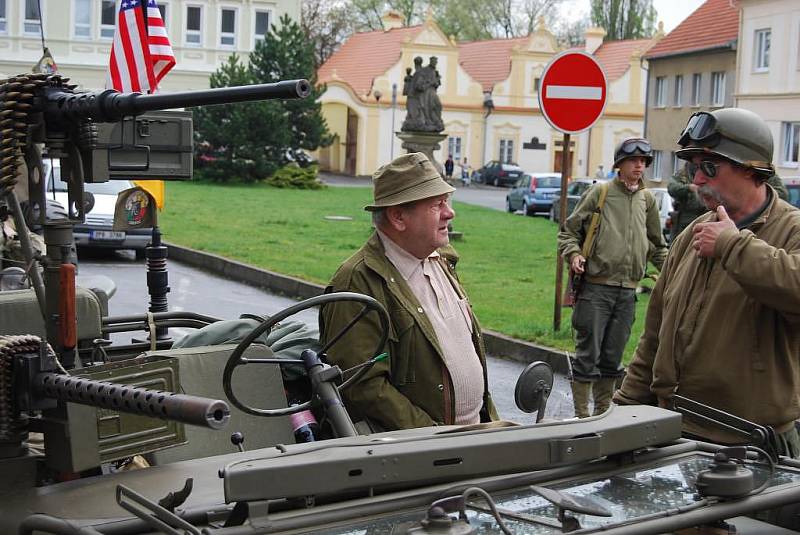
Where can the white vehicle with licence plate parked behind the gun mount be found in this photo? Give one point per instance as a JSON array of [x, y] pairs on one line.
[[97, 230]]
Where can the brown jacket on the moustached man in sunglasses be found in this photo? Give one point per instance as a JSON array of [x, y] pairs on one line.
[[725, 331]]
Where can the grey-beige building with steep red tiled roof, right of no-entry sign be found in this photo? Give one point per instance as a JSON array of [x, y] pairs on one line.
[[693, 68]]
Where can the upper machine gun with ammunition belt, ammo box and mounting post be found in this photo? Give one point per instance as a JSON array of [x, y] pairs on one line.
[[46, 109]]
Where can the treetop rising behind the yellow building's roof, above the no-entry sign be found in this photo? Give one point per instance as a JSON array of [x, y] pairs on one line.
[[624, 19]]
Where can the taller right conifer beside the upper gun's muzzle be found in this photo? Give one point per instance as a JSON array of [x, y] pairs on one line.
[[286, 54]]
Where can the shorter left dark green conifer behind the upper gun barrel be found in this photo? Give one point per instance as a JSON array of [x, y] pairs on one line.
[[239, 141]]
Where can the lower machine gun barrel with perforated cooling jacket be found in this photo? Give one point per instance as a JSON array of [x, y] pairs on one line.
[[195, 410]]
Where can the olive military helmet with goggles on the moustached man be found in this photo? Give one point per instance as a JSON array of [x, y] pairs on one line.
[[735, 134]]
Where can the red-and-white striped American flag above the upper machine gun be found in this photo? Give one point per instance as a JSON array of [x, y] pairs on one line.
[[141, 54]]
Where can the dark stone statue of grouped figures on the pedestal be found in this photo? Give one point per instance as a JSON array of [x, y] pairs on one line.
[[424, 109]]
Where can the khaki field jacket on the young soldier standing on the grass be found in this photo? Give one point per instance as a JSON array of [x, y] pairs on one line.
[[628, 235]]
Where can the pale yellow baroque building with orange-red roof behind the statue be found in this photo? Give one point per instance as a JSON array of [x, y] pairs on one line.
[[369, 68]]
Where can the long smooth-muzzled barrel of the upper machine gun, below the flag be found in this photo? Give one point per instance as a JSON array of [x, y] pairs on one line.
[[111, 105]]
